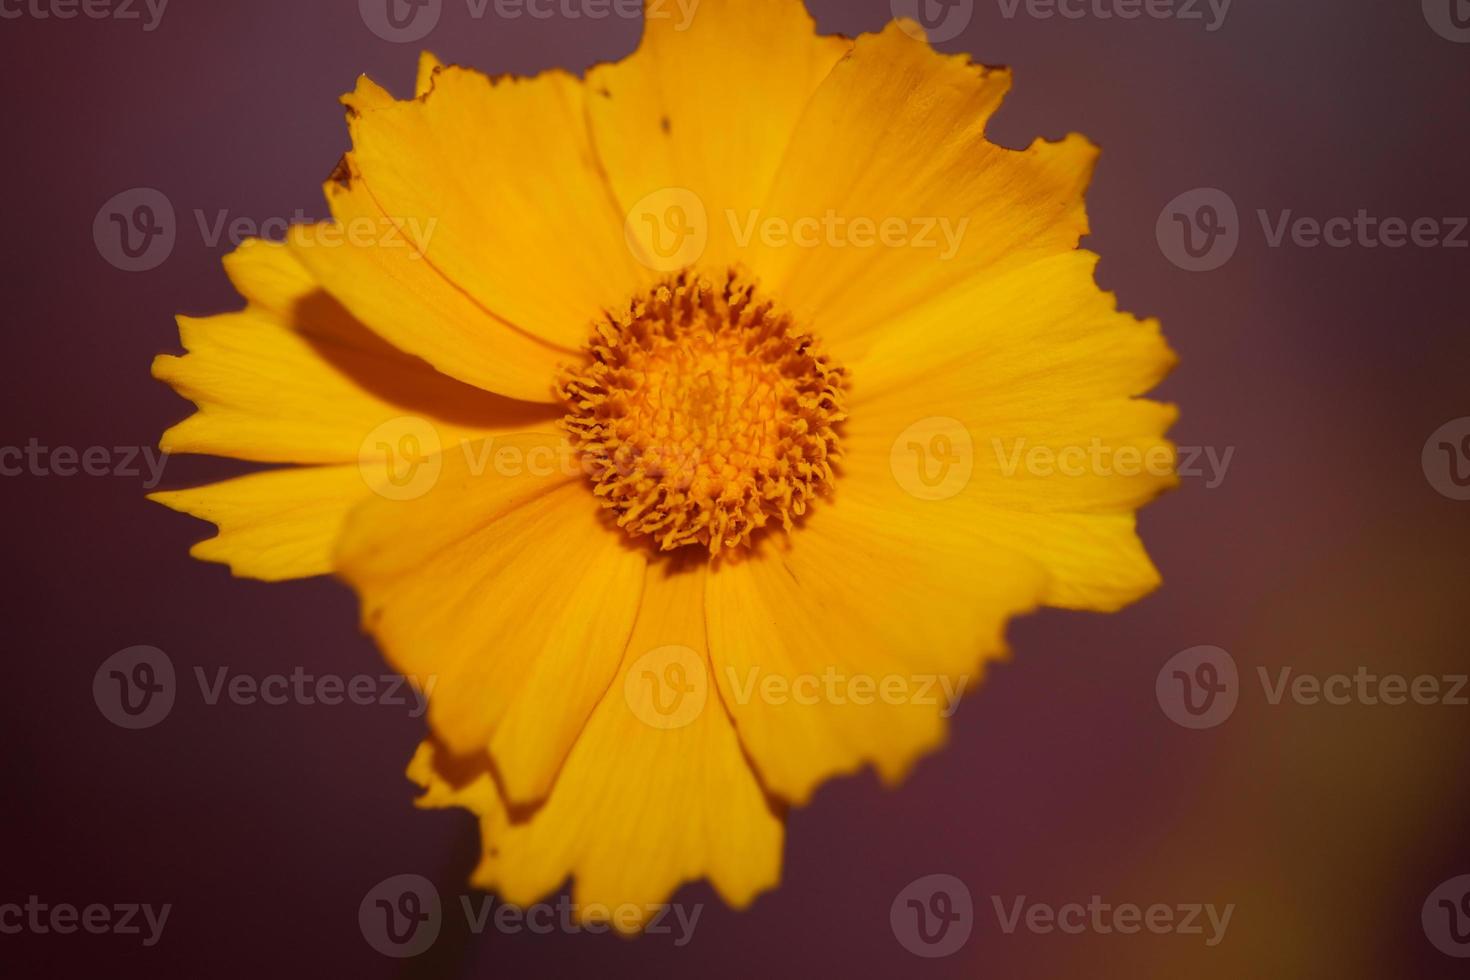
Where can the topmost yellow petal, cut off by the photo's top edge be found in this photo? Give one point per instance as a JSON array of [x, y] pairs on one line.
[[706, 107]]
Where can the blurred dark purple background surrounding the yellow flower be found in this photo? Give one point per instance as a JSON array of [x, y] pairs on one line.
[[1324, 549]]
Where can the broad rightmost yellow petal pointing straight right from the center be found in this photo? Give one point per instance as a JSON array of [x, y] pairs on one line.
[[1039, 372]]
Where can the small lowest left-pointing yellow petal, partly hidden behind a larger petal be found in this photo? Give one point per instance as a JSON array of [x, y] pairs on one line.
[[276, 525]]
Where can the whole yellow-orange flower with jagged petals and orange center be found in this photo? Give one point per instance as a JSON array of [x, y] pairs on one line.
[[690, 430]]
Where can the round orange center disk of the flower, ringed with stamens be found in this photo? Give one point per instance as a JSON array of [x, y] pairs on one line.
[[705, 415]]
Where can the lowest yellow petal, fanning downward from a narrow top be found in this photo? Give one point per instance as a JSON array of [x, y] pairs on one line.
[[650, 796]]
